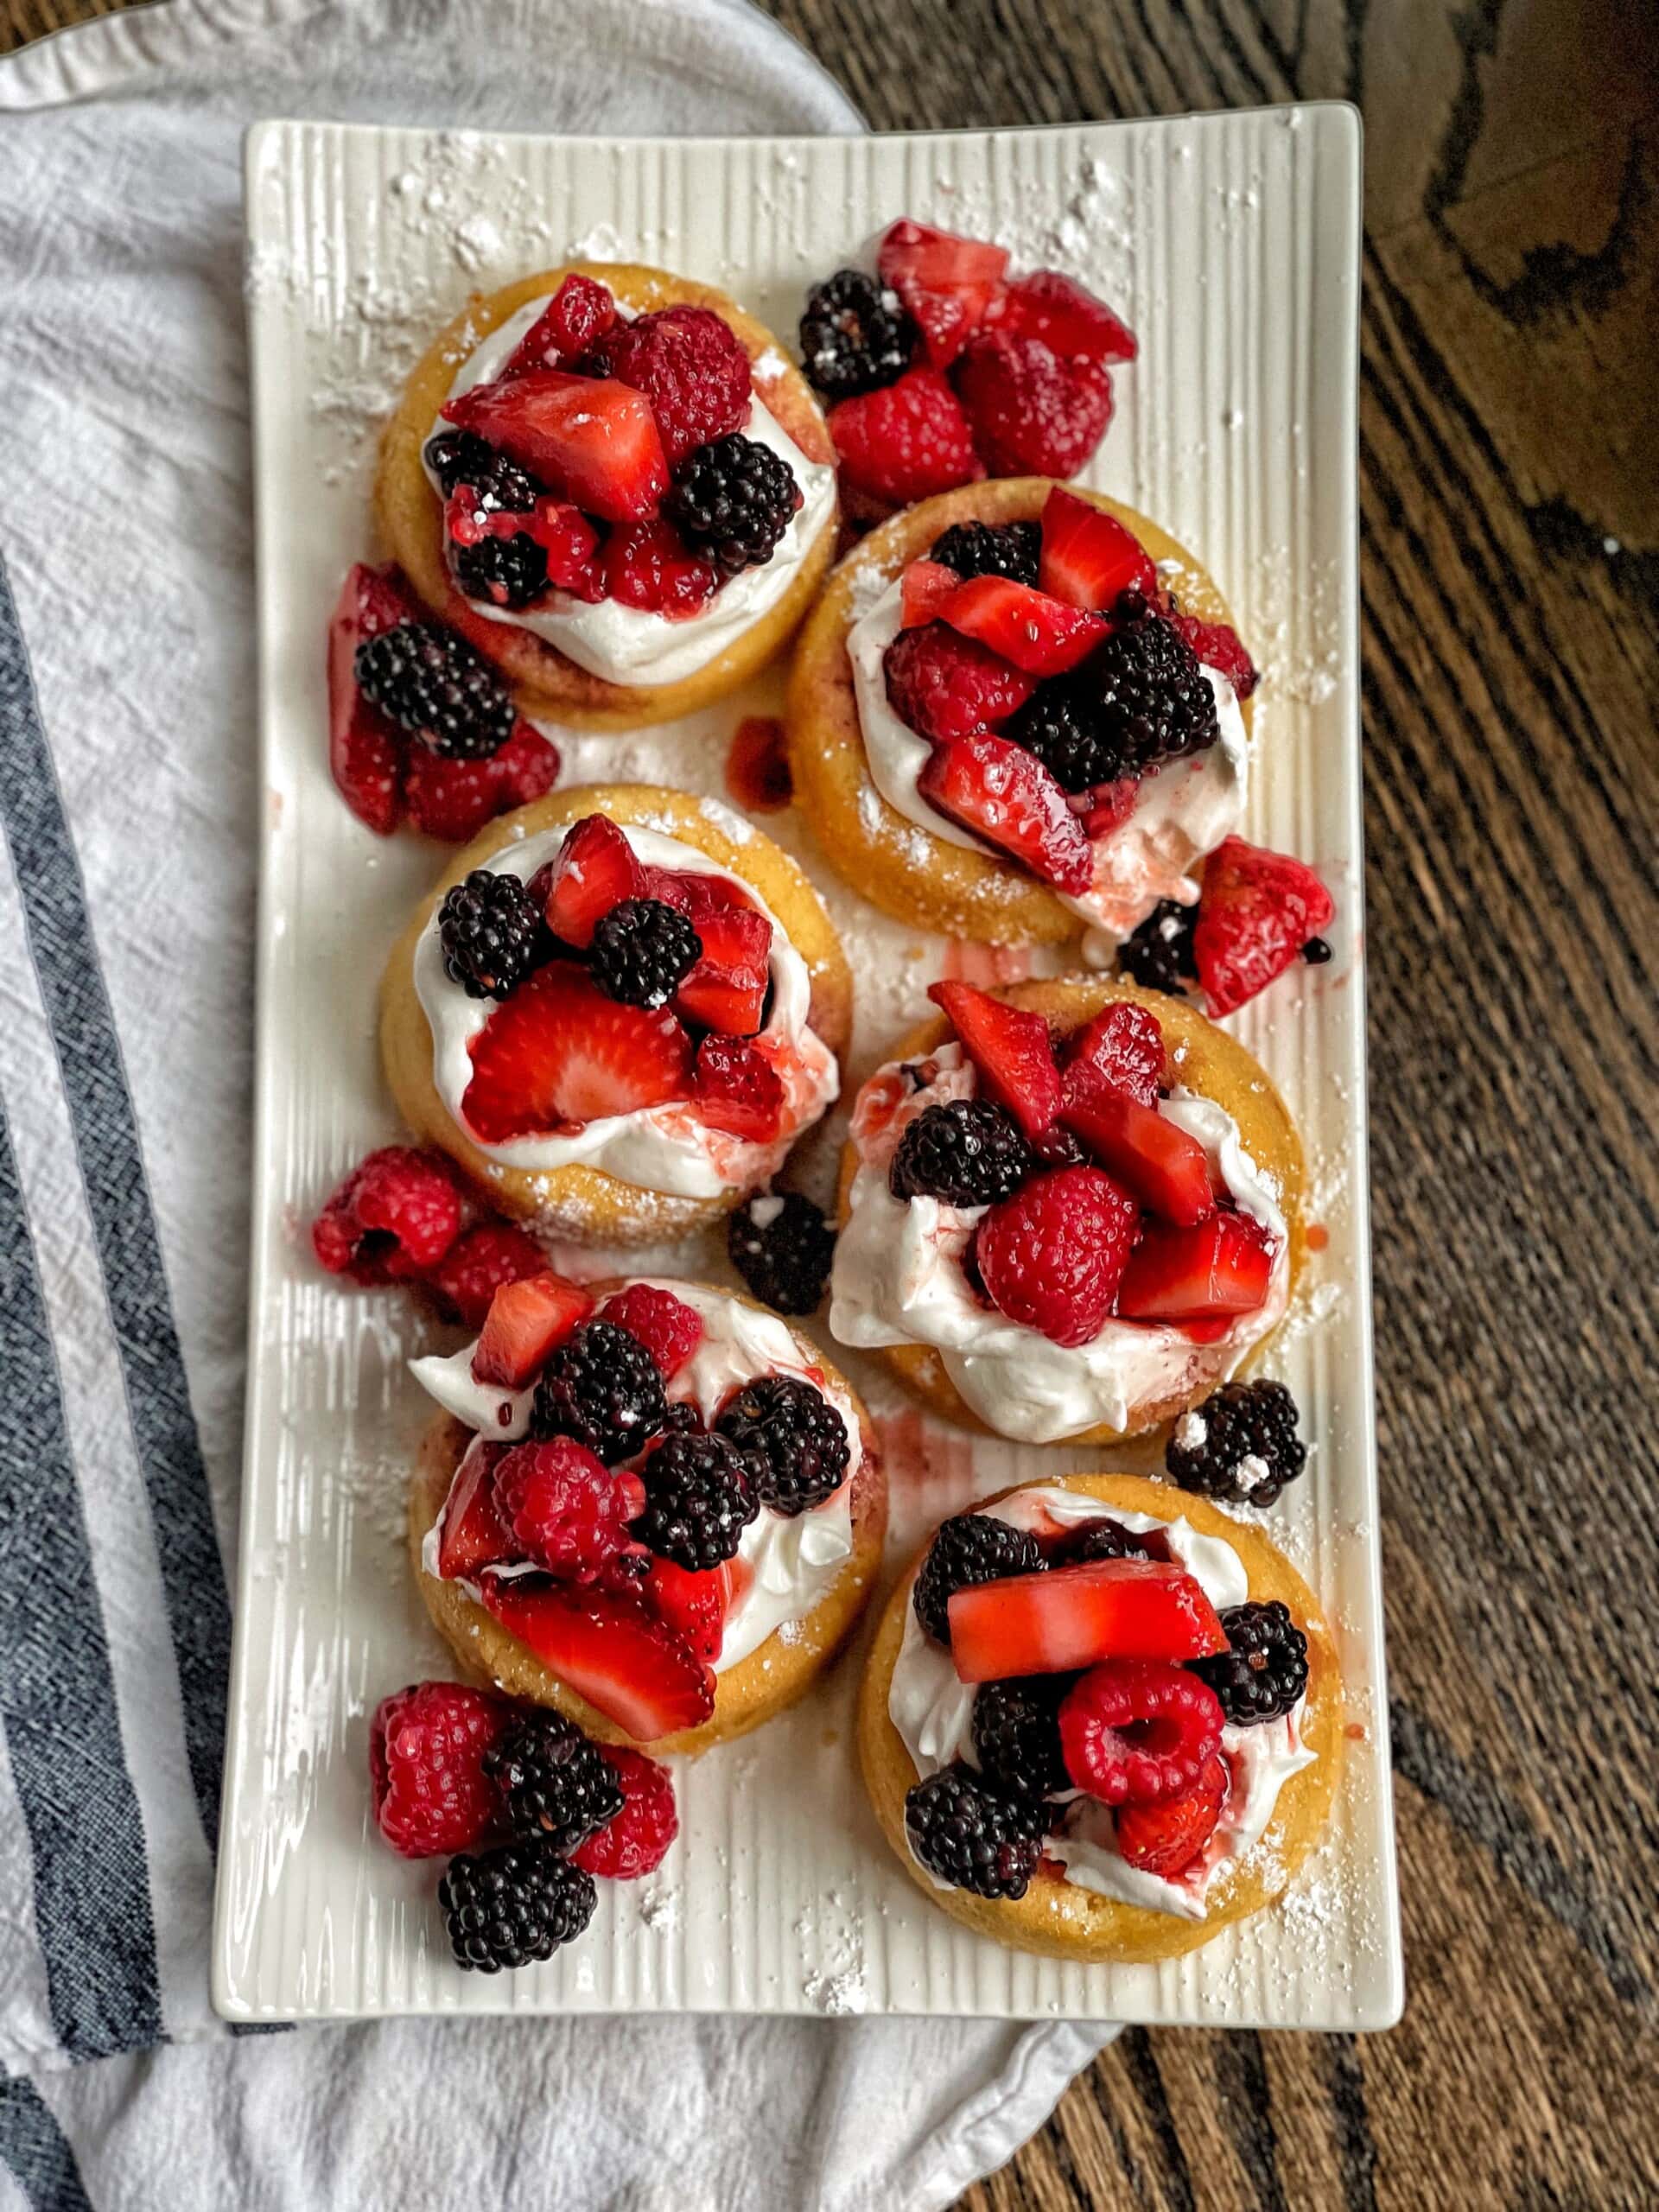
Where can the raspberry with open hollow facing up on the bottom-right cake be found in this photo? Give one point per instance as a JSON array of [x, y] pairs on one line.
[[1138, 1731]]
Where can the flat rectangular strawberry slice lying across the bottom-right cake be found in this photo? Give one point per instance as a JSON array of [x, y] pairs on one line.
[[1076, 1616]]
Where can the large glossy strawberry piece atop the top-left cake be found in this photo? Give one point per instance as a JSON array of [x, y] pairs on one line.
[[589, 437]]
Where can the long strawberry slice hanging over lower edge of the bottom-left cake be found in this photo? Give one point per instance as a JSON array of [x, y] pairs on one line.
[[632, 1667]]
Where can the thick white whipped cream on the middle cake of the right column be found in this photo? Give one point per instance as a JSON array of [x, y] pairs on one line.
[[899, 1282]]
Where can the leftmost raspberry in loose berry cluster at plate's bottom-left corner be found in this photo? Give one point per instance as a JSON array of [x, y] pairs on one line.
[[428, 1749]]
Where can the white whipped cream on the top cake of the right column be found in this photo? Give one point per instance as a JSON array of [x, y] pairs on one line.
[[1182, 811]]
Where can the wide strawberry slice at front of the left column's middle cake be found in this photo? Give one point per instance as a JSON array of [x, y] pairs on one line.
[[559, 1054]]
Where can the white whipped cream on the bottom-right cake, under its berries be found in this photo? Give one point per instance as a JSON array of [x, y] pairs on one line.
[[935, 1715]]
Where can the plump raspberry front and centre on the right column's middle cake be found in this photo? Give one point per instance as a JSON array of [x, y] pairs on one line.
[[1054, 1255]]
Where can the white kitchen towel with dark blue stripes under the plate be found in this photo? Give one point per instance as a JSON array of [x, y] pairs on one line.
[[127, 797]]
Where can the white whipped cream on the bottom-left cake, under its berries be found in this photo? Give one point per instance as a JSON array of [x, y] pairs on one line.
[[791, 1561]]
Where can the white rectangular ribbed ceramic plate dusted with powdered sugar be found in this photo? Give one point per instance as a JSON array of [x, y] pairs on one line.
[[1231, 244]]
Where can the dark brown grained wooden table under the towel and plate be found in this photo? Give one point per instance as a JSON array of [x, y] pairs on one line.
[[1510, 477]]
